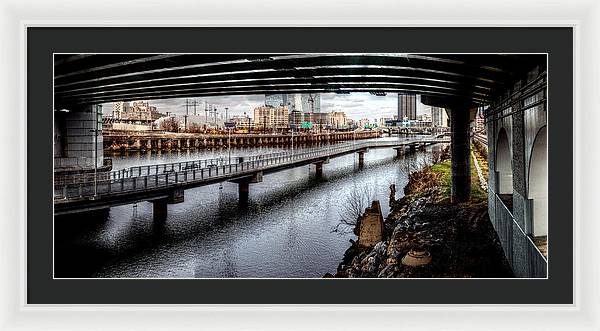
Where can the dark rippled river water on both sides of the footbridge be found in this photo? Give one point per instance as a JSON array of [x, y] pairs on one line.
[[287, 229]]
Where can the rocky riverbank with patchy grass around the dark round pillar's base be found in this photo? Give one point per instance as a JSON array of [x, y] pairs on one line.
[[425, 236]]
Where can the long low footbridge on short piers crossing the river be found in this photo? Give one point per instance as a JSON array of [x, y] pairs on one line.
[[165, 183]]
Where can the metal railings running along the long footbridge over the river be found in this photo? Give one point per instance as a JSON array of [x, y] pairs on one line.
[[163, 175]]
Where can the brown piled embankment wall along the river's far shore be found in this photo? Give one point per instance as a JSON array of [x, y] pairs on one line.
[[125, 141]]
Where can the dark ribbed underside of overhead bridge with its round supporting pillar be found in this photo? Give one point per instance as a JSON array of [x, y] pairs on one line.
[[459, 83]]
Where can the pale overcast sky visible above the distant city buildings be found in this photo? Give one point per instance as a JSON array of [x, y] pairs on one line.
[[355, 105]]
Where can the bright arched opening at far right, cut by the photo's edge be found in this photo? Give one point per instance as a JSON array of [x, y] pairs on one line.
[[538, 184]]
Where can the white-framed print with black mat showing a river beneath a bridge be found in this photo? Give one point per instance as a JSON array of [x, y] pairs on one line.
[[281, 171]]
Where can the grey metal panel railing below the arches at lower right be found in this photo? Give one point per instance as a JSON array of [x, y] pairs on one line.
[[525, 258]]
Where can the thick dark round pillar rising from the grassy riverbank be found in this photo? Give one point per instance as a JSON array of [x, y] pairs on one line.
[[460, 153]]
